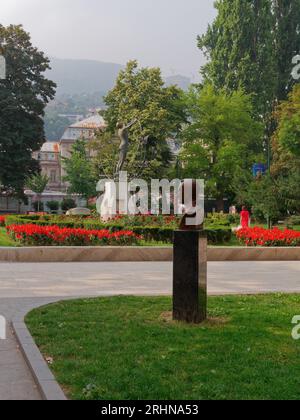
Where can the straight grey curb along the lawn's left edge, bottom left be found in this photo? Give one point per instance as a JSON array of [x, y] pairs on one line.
[[47, 384]]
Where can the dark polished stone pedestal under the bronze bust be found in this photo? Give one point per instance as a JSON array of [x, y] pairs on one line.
[[190, 276]]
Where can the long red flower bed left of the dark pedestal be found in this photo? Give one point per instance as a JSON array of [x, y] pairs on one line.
[[55, 236]]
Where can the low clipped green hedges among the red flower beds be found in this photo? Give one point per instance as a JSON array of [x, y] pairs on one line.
[[216, 234]]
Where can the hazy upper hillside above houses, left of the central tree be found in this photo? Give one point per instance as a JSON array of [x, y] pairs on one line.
[[82, 76]]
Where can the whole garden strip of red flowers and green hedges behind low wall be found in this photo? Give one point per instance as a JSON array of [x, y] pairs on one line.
[[47, 230]]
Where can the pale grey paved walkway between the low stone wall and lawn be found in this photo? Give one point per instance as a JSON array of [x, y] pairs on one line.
[[30, 285]]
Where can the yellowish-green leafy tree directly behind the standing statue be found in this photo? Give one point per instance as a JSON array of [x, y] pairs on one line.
[[140, 94]]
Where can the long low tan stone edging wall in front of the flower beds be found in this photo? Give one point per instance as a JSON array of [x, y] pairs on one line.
[[141, 254]]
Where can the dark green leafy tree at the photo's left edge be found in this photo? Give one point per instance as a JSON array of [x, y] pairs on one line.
[[23, 97]]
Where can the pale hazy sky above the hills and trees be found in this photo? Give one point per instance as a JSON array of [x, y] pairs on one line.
[[155, 32]]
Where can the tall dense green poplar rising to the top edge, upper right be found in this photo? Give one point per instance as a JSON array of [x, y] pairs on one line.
[[240, 48]]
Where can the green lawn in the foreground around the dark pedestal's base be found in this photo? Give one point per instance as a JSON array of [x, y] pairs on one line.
[[128, 348]]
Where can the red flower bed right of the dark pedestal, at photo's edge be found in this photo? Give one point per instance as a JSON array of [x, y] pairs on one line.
[[263, 237]]
